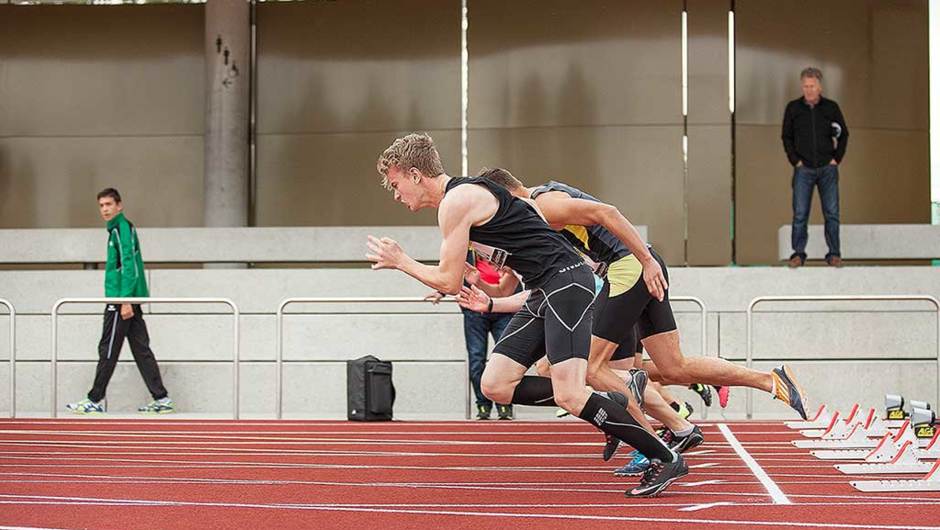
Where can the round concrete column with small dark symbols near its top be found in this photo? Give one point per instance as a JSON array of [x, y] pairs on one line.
[[228, 42]]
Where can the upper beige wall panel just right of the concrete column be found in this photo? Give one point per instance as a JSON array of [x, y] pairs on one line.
[[361, 65]]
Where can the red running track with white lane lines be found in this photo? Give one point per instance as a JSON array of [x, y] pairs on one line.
[[109, 473]]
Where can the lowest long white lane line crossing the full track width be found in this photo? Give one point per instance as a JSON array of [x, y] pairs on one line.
[[371, 510]]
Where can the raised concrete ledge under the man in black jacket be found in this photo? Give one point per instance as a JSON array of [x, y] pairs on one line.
[[869, 242]]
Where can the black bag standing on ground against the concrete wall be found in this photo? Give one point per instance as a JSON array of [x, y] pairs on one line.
[[370, 393]]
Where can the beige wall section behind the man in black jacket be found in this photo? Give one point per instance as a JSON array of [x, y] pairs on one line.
[[875, 66]]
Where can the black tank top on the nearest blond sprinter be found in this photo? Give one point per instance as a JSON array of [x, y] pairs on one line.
[[518, 237]]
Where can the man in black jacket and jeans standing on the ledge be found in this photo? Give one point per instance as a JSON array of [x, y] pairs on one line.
[[815, 137]]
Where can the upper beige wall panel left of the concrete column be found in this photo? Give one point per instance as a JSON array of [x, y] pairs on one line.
[[101, 71]]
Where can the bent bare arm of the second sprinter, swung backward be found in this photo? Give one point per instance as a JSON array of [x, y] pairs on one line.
[[560, 208]]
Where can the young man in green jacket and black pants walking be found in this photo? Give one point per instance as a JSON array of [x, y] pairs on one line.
[[123, 278]]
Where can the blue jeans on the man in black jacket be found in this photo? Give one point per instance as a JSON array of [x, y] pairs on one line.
[[827, 179]]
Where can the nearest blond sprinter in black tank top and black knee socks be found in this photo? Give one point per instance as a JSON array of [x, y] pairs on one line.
[[558, 314]]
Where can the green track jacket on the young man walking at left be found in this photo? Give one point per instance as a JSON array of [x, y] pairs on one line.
[[124, 271]]
